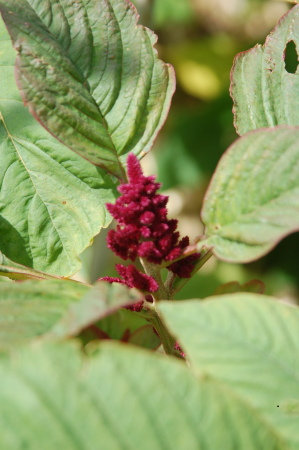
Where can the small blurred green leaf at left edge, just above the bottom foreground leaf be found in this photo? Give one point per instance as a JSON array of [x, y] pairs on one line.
[[31, 308]]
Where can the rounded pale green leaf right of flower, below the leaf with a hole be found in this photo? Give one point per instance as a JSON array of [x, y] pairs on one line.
[[253, 199]]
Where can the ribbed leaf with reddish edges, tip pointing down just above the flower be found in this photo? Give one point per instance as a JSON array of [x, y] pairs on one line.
[[90, 75]]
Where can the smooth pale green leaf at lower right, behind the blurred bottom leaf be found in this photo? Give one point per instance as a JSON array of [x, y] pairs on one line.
[[247, 344]]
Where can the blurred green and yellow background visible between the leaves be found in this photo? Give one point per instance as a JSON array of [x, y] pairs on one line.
[[200, 38]]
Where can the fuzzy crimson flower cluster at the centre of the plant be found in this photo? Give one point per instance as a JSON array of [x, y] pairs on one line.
[[144, 230]]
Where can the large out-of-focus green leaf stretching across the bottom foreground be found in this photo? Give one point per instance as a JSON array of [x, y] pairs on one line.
[[120, 398]]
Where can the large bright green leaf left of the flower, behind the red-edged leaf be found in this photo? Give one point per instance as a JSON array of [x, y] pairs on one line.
[[51, 200]]
